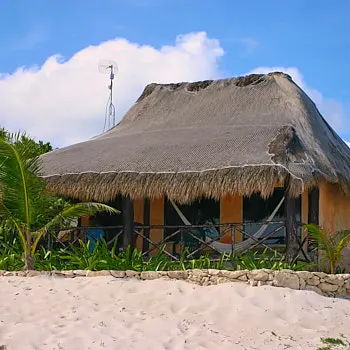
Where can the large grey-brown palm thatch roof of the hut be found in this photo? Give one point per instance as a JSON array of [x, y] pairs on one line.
[[208, 138]]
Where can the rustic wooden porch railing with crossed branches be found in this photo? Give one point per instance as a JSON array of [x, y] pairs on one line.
[[189, 239]]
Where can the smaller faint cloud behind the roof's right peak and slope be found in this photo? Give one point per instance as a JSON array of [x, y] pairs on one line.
[[331, 109]]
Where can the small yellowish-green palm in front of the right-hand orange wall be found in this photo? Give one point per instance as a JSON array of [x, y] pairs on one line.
[[331, 245]]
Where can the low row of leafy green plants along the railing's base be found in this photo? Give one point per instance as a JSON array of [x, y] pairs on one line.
[[81, 257]]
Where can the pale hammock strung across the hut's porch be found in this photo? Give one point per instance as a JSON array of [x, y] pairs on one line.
[[240, 247]]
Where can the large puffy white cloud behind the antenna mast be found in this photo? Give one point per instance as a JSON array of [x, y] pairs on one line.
[[63, 101]]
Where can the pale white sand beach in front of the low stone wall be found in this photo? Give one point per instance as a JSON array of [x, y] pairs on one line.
[[107, 313]]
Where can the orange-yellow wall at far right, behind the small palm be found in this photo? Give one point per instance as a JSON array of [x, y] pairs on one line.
[[334, 211]]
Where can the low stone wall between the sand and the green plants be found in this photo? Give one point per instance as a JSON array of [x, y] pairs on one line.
[[319, 282]]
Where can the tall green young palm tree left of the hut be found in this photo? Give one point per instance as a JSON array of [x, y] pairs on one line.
[[24, 199]]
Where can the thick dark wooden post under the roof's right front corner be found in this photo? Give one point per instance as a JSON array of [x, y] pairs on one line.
[[292, 245]]
